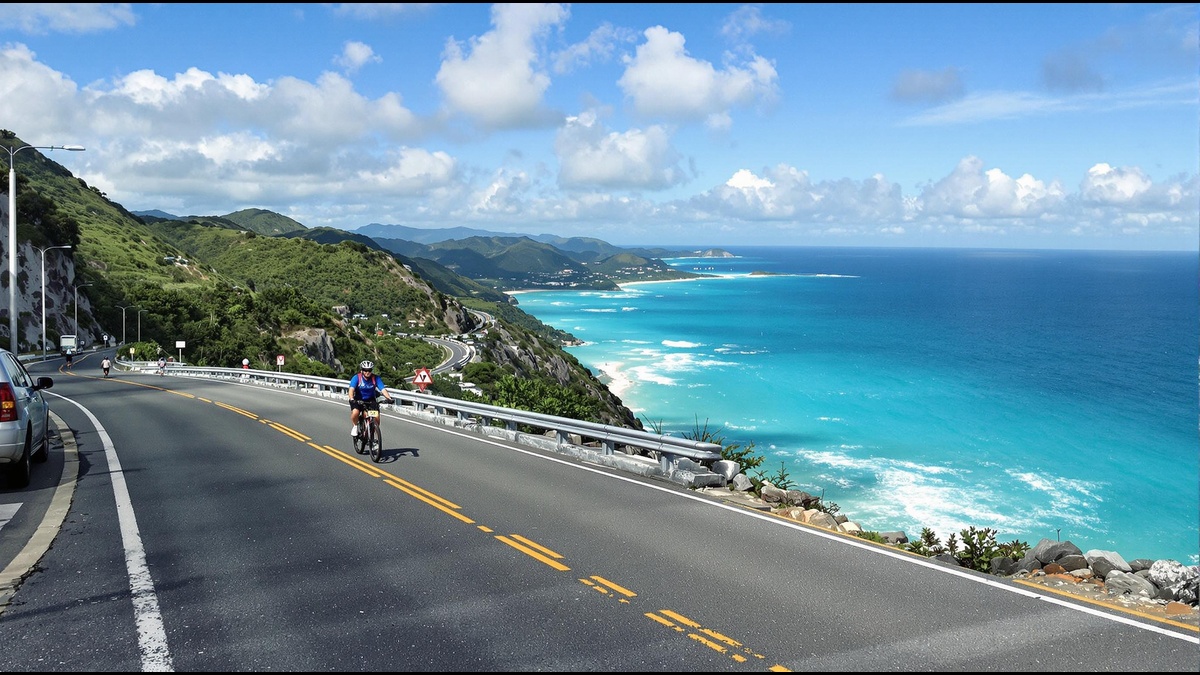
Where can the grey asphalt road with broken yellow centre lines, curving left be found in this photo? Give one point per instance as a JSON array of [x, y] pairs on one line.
[[219, 527]]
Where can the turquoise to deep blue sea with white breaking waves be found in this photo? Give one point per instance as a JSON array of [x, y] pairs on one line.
[[1045, 395]]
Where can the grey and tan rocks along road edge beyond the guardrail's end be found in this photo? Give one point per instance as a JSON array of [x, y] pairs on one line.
[[1160, 588]]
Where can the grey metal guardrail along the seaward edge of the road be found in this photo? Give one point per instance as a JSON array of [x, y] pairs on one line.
[[681, 461]]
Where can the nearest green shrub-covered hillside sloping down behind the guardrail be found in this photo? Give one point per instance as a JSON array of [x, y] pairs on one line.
[[229, 292]]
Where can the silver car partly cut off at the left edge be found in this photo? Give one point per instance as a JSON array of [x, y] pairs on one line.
[[25, 421]]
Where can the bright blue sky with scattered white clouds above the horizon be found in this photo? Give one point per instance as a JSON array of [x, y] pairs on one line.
[[994, 126]]
